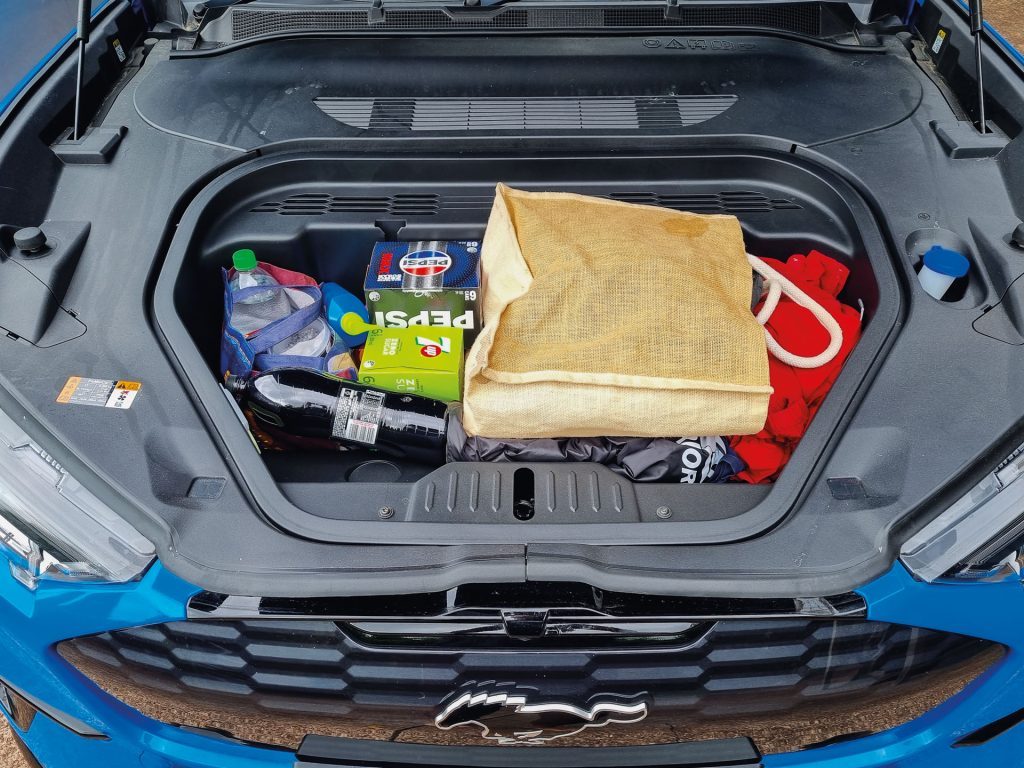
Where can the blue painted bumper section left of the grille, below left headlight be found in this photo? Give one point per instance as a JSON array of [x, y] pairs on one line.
[[31, 624]]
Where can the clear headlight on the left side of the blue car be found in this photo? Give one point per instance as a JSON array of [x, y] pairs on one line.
[[53, 528]]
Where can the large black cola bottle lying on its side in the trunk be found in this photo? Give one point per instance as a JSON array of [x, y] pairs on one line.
[[309, 404]]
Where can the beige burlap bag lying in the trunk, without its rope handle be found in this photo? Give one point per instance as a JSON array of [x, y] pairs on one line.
[[611, 319]]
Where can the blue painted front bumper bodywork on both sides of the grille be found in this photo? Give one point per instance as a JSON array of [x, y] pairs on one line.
[[32, 623]]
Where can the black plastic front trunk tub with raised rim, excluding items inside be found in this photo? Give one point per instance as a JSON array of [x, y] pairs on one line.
[[322, 214]]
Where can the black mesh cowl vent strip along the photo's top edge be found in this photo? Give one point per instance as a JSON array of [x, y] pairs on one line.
[[803, 19]]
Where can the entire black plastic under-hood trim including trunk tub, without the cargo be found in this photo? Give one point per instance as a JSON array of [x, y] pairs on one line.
[[311, 145]]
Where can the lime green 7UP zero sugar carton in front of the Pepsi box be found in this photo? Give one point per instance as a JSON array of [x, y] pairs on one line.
[[426, 362]]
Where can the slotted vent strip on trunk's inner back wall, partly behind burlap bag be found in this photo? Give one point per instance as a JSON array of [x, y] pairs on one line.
[[317, 204]]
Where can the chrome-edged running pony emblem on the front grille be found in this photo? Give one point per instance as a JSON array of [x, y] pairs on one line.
[[509, 717]]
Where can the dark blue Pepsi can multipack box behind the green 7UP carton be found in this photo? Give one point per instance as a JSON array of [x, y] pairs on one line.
[[428, 283]]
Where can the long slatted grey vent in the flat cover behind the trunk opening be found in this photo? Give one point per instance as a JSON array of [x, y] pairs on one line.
[[662, 114]]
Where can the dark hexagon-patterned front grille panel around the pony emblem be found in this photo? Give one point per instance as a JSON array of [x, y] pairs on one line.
[[785, 682]]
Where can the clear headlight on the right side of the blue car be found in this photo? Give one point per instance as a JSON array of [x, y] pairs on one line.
[[980, 536]]
